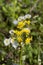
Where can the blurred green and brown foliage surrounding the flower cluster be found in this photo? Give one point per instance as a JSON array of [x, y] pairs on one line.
[[10, 10]]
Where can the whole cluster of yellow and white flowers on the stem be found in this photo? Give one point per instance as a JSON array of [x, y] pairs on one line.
[[20, 35]]
